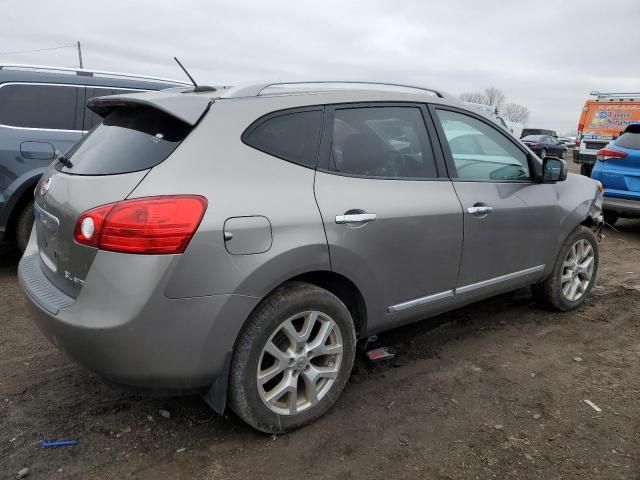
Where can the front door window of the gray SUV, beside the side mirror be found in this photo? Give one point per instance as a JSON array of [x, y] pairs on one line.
[[480, 152]]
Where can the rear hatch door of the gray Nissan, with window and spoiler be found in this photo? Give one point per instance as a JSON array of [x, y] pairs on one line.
[[105, 167]]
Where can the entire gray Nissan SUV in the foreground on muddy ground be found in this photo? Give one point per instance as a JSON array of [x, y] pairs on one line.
[[239, 242]]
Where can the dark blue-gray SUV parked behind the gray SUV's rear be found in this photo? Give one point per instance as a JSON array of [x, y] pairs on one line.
[[43, 113]]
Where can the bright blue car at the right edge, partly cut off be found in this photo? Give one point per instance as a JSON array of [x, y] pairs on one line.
[[618, 169]]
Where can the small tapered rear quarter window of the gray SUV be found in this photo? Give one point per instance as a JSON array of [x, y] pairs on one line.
[[291, 136]]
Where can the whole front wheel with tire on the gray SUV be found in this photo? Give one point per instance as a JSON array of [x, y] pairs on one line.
[[574, 272]]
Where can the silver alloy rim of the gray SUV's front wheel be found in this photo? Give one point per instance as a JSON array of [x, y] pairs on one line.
[[577, 270]]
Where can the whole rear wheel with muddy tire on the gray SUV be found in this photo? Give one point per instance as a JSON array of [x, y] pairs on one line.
[[292, 358]]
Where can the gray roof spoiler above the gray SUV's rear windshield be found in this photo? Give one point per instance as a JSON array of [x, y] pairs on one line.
[[184, 106]]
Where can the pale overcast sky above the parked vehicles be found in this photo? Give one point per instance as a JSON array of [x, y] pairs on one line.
[[547, 55]]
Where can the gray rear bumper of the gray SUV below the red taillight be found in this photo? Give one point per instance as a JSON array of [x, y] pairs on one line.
[[128, 332]]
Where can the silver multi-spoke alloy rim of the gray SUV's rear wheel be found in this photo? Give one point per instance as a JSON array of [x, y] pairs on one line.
[[299, 363]]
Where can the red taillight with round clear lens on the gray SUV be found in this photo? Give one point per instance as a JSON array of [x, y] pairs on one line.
[[149, 225]]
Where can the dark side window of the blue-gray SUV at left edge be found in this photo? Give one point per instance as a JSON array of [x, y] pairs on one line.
[[39, 106]]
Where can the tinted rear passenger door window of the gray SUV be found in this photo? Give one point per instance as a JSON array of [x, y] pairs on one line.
[[389, 142]]
